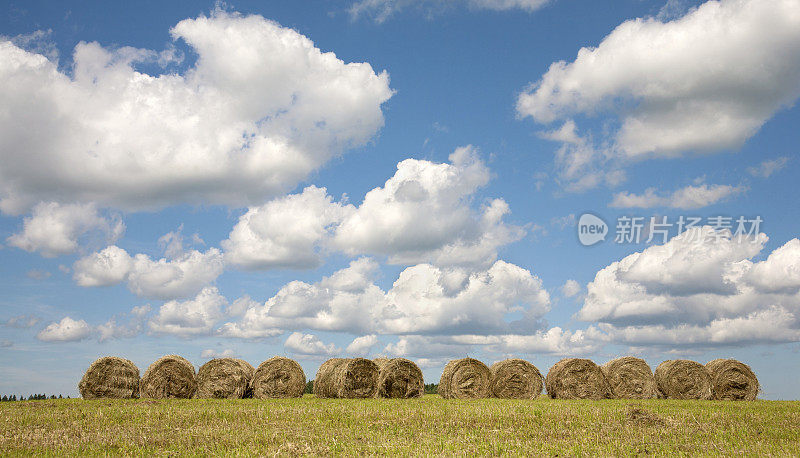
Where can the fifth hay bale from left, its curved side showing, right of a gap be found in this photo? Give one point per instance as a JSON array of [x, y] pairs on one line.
[[347, 378]]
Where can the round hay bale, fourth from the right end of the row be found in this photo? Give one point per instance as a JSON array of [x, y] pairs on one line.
[[576, 378]]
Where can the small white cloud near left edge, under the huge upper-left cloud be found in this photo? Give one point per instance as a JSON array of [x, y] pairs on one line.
[[54, 229]]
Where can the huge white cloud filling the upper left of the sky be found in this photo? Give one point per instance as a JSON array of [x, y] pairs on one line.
[[260, 109]]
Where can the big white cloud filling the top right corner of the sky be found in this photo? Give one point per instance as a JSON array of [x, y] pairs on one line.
[[645, 74]]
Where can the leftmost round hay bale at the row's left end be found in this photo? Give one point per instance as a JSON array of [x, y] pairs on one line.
[[110, 377]]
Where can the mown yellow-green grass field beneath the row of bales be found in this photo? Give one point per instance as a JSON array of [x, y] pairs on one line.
[[429, 425]]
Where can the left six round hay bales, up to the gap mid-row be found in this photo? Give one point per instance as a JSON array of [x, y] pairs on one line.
[[228, 378]]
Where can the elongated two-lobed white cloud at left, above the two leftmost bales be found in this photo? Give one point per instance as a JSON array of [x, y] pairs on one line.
[[164, 279]]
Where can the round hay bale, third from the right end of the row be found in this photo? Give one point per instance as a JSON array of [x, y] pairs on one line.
[[630, 378]]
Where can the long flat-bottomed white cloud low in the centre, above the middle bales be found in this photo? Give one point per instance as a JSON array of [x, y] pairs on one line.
[[423, 300]]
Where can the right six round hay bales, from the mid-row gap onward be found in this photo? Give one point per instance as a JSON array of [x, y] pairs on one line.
[[621, 378]]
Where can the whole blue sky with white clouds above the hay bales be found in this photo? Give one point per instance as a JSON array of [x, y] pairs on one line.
[[163, 173]]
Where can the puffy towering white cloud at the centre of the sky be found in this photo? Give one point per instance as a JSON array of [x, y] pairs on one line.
[[423, 214]]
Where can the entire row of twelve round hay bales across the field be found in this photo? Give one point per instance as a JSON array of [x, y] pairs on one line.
[[572, 378]]
